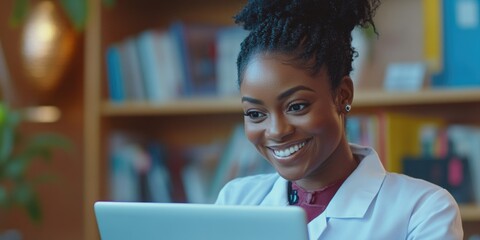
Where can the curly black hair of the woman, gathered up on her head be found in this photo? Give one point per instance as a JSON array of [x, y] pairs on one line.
[[313, 32]]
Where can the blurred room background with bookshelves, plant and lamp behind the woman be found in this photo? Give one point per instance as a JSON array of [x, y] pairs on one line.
[[137, 101]]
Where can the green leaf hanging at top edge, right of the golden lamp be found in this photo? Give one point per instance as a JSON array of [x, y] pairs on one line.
[[76, 11]]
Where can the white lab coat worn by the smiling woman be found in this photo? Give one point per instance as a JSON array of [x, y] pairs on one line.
[[371, 204]]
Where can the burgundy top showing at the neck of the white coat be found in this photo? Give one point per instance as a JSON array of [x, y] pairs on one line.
[[315, 202]]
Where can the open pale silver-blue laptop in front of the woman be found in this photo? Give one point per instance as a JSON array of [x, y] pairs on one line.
[[179, 221]]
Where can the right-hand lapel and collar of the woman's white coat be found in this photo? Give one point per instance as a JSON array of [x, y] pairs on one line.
[[360, 188]]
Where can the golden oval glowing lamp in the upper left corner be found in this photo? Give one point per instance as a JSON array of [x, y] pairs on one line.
[[47, 46]]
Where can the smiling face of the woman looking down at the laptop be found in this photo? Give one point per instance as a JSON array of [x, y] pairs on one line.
[[292, 117]]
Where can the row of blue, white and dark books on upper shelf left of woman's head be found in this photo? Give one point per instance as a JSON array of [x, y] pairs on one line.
[[185, 60]]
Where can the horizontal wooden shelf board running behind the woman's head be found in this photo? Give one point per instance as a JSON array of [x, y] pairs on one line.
[[362, 99]]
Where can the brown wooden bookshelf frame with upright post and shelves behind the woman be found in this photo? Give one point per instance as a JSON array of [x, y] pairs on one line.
[[101, 116]]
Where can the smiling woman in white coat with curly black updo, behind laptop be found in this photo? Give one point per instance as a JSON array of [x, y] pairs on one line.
[[293, 72]]
